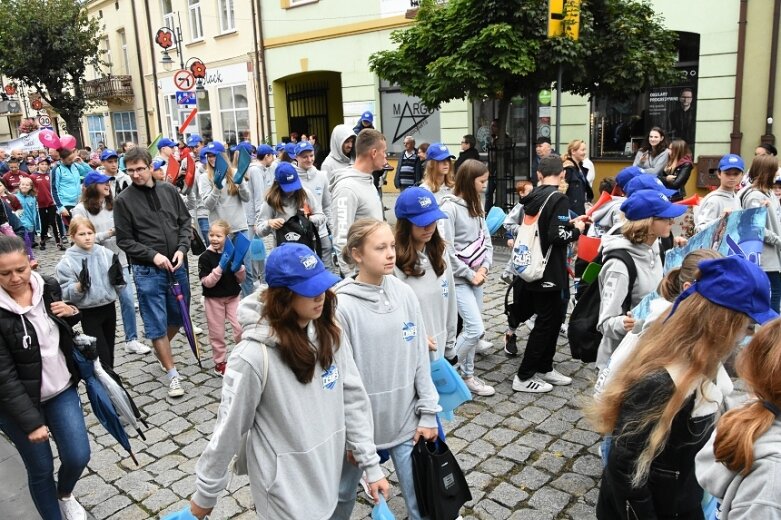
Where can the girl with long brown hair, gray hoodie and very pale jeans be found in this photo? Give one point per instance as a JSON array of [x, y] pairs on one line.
[[471, 255]]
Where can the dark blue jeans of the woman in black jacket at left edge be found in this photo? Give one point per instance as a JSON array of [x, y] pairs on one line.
[[65, 419]]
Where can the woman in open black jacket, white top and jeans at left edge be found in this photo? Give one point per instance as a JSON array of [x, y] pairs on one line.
[[38, 391]]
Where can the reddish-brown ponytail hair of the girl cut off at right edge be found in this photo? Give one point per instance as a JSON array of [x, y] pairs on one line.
[[759, 365]]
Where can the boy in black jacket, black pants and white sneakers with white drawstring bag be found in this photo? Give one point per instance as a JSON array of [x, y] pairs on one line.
[[543, 297]]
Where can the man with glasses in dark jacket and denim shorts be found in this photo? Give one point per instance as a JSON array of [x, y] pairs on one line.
[[153, 228]]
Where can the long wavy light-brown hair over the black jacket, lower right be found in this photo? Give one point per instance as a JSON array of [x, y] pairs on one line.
[[698, 336]]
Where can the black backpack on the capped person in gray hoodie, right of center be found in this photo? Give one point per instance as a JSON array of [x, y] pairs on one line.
[[584, 338]]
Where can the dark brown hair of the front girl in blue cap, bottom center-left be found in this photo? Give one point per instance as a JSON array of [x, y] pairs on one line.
[[294, 346]]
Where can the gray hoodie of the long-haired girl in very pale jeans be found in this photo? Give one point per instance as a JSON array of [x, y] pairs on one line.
[[461, 229]]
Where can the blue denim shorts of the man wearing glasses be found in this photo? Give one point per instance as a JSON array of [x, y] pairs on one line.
[[158, 306]]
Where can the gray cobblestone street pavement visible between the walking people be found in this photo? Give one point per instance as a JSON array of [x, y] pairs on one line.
[[526, 456]]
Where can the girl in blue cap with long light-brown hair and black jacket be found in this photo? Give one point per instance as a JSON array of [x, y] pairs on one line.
[[661, 408]]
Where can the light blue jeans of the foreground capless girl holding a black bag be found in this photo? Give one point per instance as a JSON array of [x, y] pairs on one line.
[[351, 475]]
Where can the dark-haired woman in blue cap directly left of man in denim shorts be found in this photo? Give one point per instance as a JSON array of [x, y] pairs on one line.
[[97, 206]]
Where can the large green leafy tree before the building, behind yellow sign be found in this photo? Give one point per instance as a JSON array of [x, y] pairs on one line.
[[499, 49]]
